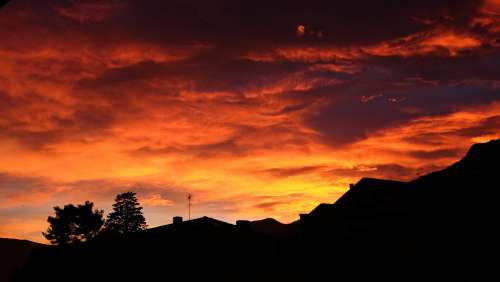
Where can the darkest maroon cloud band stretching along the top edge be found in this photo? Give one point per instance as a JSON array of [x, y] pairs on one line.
[[243, 25]]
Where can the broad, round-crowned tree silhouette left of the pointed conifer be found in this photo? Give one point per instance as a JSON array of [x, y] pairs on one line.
[[74, 224]]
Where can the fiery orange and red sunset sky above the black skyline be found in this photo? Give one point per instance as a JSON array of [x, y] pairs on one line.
[[257, 108]]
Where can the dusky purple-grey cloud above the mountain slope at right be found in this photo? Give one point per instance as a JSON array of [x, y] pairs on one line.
[[345, 118]]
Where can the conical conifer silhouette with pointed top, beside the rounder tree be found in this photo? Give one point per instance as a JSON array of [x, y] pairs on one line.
[[126, 216]]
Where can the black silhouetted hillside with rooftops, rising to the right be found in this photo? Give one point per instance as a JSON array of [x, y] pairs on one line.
[[443, 226]]
